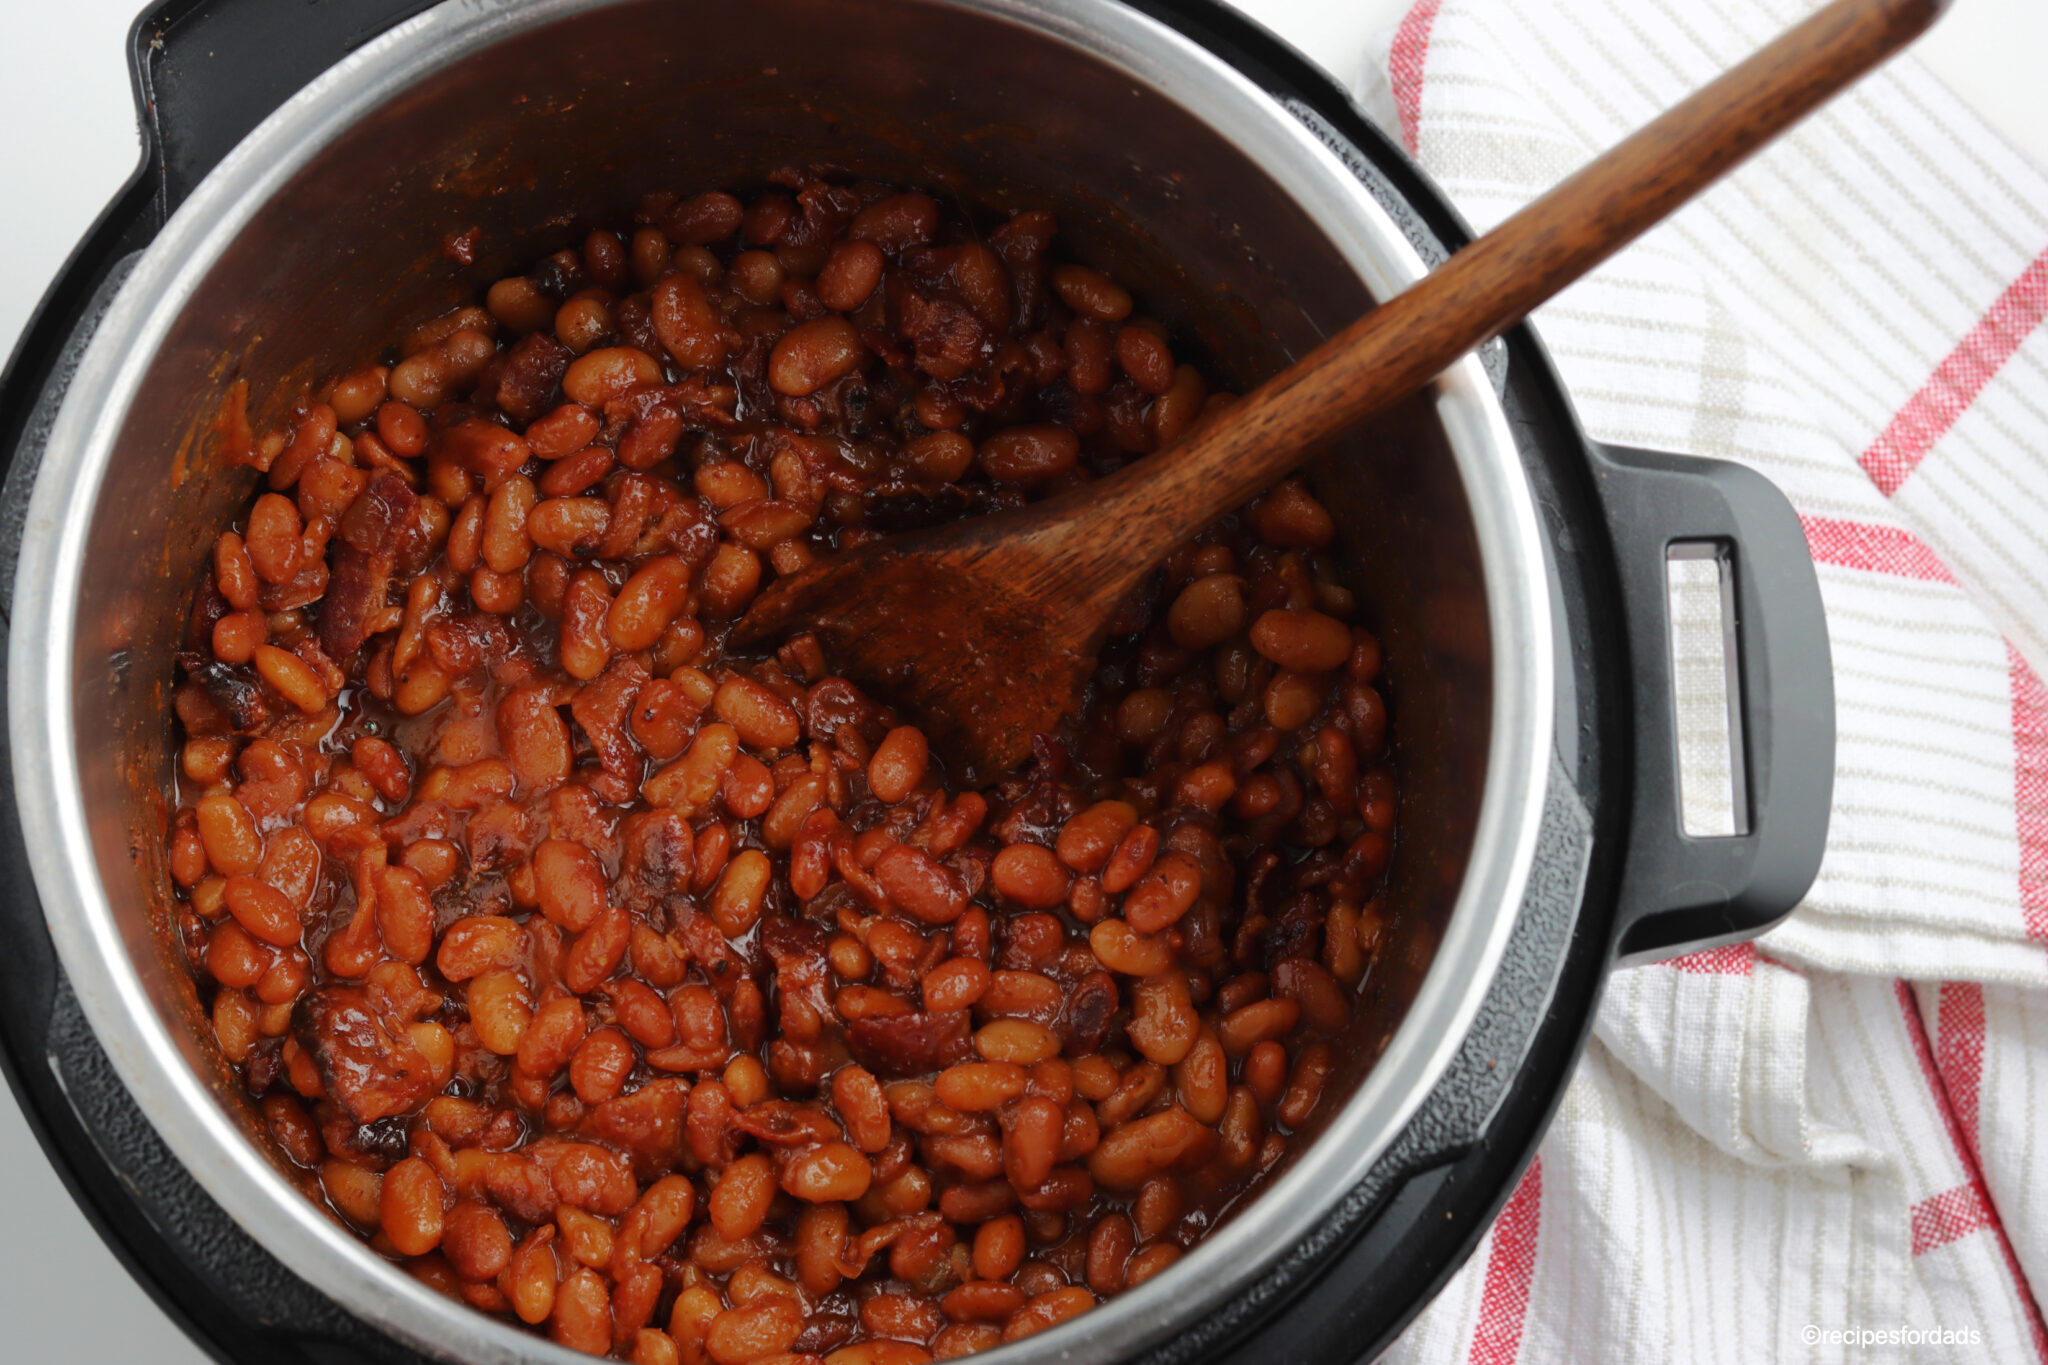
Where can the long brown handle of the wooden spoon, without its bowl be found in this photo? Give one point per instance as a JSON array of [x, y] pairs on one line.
[[1498, 279]]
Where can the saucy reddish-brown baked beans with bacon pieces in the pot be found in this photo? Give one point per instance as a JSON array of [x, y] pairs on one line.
[[675, 1002]]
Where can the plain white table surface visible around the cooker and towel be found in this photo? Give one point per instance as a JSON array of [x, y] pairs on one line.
[[69, 140]]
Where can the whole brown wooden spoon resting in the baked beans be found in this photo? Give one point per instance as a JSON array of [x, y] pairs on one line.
[[988, 629]]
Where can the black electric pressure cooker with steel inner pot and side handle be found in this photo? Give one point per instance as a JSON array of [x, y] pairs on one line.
[[312, 171]]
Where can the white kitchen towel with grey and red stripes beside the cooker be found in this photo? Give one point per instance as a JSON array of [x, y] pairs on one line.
[[1820, 1147]]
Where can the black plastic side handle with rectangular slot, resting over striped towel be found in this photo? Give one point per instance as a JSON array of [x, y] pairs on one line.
[[1682, 893]]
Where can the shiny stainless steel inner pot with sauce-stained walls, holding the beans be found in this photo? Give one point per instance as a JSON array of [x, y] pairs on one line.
[[321, 238]]
